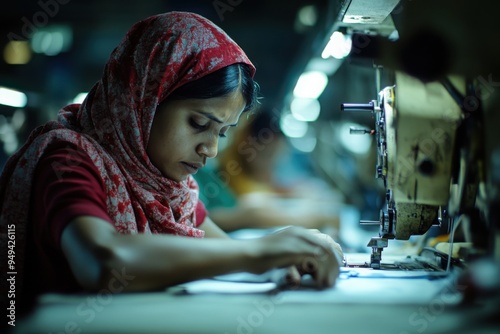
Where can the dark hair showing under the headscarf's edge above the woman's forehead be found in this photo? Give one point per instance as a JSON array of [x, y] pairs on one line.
[[220, 83]]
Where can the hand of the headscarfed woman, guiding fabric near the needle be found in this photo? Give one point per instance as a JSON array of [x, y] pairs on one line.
[[304, 252]]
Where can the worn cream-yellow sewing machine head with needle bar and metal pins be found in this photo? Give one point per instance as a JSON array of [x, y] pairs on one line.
[[415, 129]]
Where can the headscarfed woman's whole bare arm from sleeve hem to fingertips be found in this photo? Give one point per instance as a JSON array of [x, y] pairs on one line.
[[97, 254]]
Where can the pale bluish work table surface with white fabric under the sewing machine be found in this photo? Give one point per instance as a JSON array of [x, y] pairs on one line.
[[362, 301]]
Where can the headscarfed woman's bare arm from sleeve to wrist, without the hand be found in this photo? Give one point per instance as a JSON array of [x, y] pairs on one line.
[[96, 253]]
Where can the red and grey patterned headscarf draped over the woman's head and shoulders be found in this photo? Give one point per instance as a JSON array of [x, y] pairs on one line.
[[112, 126]]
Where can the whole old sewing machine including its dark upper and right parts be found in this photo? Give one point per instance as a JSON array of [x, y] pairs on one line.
[[437, 145]]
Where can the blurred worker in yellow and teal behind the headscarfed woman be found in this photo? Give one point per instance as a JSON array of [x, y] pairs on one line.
[[245, 188]]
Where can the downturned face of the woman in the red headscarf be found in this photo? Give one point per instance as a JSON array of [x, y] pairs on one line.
[[186, 132]]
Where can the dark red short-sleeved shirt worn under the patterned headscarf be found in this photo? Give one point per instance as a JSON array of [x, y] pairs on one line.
[[66, 185]]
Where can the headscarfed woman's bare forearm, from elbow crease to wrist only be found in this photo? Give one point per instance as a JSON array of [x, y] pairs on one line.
[[157, 261]]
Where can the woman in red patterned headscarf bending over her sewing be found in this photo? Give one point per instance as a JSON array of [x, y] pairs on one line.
[[107, 189]]
